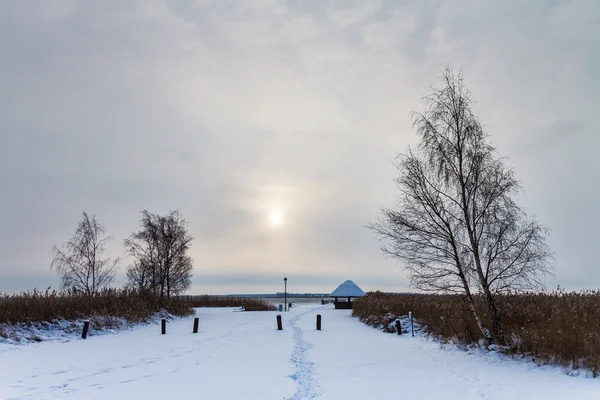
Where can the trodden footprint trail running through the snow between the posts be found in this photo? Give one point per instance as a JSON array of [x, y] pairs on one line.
[[306, 383]]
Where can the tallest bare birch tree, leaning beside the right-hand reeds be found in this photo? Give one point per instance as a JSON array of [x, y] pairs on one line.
[[455, 225]]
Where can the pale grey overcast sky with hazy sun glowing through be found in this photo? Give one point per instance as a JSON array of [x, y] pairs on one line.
[[236, 112]]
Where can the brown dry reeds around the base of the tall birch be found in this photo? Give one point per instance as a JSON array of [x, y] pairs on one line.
[[557, 328]]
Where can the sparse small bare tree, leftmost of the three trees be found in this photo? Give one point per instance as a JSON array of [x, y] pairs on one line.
[[80, 263]]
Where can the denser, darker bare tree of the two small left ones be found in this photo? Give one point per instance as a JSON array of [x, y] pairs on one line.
[[162, 265]]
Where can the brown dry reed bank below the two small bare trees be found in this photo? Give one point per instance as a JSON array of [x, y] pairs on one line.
[[24, 314]]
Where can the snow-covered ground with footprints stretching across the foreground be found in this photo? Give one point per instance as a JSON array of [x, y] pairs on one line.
[[241, 355]]
